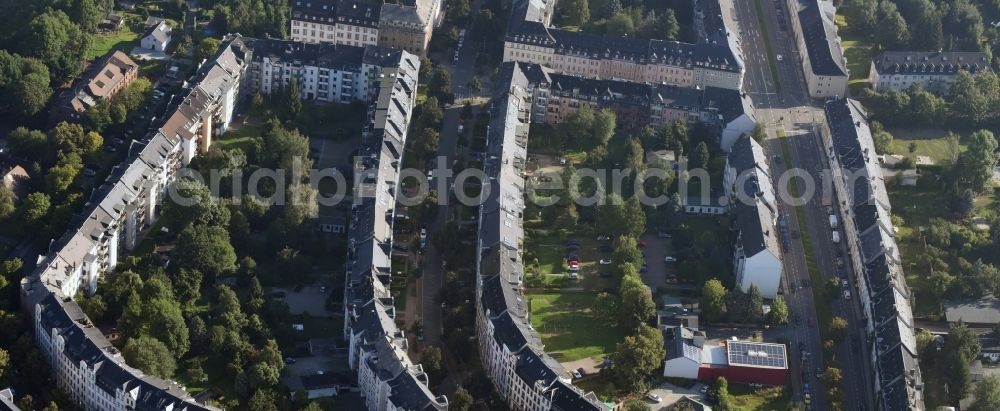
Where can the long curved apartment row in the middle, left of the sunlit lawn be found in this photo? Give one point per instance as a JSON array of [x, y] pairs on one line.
[[512, 352]]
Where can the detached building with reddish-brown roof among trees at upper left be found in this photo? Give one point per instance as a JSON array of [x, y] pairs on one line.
[[103, 79]]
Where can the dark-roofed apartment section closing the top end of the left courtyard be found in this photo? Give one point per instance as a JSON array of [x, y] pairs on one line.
[[324, 72]]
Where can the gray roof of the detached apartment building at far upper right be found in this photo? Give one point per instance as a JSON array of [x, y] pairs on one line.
[[930, 62]]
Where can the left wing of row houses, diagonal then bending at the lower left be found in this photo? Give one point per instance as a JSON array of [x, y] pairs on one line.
[[85, 365]]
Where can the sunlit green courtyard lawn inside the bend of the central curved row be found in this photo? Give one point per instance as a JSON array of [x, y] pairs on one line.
[[568, 326]]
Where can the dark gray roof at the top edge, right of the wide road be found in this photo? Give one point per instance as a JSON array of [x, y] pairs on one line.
[[820, 33]]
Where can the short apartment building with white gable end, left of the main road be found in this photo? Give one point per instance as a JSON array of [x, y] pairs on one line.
[[751, 197]]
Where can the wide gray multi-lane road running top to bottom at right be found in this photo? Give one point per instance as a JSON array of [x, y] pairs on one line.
[[787, 107]]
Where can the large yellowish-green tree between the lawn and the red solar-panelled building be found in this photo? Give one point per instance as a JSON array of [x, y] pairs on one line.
[[636, 357]]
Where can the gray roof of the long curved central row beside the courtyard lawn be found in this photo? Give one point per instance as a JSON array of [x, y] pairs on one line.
[[500, 239]]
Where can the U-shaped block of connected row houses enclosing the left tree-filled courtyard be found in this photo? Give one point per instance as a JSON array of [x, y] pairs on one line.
[[91, 370]]
